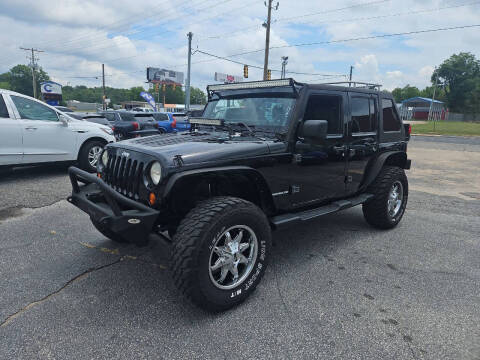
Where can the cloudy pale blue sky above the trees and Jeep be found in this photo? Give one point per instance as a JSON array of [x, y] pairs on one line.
[[79, 35]]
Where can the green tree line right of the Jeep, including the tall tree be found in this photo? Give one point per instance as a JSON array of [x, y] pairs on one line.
[[458, 84]]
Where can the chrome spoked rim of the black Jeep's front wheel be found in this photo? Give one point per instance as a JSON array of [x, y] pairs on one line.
[[233, 256]]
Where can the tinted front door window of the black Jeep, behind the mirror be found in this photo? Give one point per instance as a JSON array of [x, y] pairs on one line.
[[326, 107]]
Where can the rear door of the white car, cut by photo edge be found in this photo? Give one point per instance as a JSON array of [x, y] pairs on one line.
[[11, 147]]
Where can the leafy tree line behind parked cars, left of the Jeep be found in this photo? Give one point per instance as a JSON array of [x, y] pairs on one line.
[[19, 79]]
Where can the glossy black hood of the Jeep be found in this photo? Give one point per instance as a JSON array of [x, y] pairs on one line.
[[195, 149]]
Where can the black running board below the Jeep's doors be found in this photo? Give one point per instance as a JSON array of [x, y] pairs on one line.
[[282, 220]]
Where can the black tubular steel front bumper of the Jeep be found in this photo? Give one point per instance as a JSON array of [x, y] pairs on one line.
[[123, 216]]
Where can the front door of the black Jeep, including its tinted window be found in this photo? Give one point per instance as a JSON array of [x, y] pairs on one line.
[[318, 174]]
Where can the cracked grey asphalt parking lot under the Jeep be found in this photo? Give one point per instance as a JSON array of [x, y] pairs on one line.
[[334, 289]]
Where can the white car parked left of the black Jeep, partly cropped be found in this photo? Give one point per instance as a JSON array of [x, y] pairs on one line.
[[33, 132]]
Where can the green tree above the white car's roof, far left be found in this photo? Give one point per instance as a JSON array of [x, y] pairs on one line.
[[19, 79]]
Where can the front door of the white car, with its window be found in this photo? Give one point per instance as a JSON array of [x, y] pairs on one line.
[[45, 137]]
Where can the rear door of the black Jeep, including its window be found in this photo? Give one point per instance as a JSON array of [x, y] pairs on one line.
[[362, 136]]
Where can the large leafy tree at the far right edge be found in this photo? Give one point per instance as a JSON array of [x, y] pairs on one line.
[[459, 76]]
